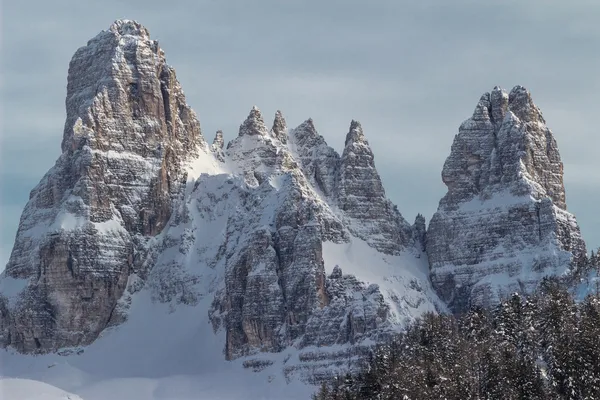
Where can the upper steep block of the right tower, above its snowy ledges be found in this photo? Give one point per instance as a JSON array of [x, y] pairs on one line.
[[525, 155]]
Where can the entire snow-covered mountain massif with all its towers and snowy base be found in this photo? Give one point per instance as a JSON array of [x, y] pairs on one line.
[[149, 263]]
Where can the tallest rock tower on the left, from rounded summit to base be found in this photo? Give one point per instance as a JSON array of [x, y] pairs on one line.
[[127, 134]]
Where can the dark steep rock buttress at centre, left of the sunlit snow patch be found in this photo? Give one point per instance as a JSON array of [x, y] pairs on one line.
[[275, 273]]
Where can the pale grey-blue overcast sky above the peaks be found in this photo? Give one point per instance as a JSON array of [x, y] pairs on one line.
[[410, 71]]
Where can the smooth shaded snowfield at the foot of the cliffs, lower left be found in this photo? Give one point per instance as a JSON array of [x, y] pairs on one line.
[[157, 354]]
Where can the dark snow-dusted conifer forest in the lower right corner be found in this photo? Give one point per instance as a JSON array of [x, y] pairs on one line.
[[546, 346]]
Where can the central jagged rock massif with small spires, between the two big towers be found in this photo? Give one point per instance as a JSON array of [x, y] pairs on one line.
[[276, 293]]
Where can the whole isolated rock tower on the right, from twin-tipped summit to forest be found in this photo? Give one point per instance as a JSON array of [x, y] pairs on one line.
[[503, 223]]
